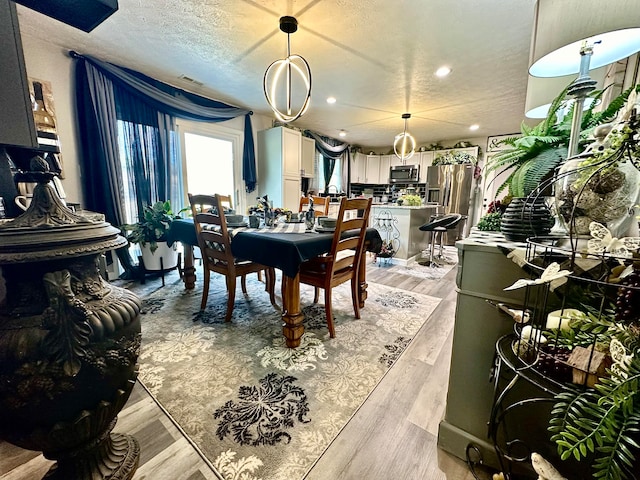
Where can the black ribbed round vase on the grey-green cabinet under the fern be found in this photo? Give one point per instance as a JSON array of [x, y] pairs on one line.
[[526, 217]]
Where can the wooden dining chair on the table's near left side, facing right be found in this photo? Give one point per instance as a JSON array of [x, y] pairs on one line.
[[215, 244]]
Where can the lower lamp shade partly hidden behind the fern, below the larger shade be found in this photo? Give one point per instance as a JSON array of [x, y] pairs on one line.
[[542, 91]]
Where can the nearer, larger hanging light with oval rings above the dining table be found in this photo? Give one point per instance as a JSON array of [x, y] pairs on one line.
[[284, 70]]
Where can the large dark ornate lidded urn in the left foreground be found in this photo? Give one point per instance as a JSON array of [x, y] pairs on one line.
[[69, 341]]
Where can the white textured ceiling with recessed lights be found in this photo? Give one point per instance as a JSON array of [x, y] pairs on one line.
[[377, 57]]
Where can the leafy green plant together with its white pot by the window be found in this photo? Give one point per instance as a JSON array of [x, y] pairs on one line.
[[150, 232]]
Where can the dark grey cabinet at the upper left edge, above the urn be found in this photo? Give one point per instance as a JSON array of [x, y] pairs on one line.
[[17, 126]]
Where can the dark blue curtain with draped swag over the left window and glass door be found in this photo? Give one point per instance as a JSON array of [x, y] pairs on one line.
[[114, 101]]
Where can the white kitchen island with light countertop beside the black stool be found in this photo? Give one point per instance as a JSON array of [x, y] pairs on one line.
[[399, 225]]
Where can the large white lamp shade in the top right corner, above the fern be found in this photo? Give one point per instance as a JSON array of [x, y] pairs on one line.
[[560, 27]]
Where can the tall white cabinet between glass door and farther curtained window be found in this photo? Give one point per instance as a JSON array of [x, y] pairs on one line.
[[279, 165]]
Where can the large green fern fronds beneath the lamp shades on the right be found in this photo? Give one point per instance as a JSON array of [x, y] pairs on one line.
[[538, 151]]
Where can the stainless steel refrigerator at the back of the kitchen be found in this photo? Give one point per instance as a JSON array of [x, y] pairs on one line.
[[450, 186]]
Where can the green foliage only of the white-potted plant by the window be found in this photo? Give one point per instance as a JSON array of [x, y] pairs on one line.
[[153, 226]]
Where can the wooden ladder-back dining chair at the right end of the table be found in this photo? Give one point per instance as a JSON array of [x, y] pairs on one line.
[[342, 262]]
